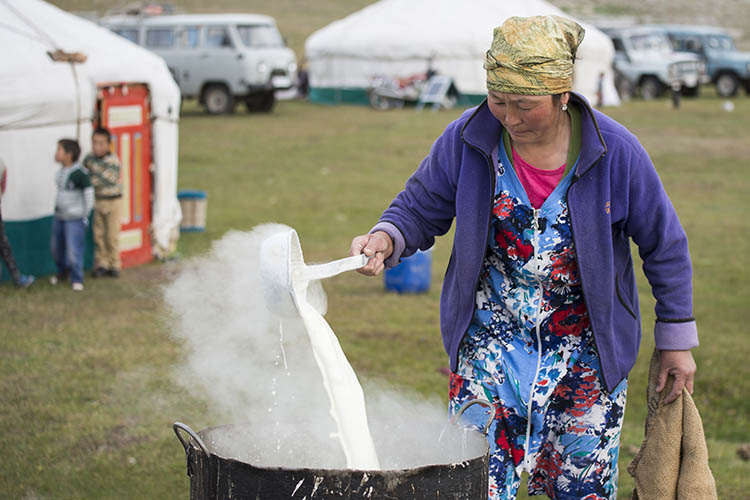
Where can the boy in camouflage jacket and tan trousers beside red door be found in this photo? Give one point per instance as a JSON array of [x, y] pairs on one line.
[[104, 168]]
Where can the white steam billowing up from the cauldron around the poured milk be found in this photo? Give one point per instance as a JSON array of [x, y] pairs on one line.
[[257, 370]]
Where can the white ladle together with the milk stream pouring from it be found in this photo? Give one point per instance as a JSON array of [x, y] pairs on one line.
[[285, 279]]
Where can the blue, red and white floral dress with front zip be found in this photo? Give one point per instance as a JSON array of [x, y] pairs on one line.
[[530, 351]]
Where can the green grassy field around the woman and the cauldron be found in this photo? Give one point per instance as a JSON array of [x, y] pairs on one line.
[[87, 385]]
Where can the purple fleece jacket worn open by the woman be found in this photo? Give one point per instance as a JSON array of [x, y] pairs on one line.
[[616, 195]]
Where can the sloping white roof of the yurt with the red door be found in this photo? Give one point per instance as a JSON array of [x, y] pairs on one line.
[[31, 28]]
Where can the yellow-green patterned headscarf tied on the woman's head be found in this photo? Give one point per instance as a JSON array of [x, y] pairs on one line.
[[533, 55]]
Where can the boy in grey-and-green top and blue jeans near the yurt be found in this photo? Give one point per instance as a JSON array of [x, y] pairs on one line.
[[75, 199]]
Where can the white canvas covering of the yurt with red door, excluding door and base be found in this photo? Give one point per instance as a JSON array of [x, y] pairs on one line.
[[42, 101]]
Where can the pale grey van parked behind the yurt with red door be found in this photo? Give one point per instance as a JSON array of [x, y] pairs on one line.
[[219, 59]]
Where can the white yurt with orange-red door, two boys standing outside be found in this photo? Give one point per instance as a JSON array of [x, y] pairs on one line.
[[62, 74]]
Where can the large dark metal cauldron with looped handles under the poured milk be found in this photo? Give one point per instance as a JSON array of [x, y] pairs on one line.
[[213, 477]]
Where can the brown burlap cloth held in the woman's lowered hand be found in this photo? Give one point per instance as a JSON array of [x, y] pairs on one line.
[[672, 463]]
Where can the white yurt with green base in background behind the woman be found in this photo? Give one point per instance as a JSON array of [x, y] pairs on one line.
[[401, 37]]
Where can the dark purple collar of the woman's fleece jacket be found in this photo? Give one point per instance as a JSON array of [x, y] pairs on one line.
[[482, 131]]
